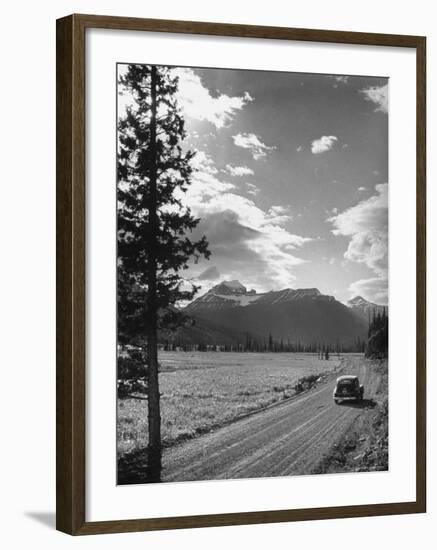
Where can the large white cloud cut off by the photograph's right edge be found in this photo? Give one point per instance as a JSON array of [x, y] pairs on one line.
[[366, 225]]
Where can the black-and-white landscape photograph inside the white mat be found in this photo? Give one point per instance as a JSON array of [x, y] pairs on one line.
[[252, 274]]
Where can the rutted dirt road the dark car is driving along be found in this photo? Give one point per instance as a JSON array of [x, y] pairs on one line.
[[287, 439]]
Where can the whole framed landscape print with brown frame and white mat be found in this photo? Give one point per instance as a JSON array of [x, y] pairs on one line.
[[241, 274]]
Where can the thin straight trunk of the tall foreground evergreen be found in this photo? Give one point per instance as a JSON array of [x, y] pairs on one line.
[[154, 449]]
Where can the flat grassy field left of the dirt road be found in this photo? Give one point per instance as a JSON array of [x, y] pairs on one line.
[[203, 390]]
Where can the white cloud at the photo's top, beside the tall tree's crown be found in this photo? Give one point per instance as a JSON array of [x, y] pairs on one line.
[[197, 102]]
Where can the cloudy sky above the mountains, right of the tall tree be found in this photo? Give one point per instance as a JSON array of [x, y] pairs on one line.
[[291, 179]]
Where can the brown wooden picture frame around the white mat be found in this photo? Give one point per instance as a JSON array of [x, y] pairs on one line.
[[71, 252]]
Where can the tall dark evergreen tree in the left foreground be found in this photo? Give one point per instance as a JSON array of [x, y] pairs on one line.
[[154, 226]]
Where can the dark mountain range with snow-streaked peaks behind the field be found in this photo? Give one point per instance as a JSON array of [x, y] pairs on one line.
[[229, 312]]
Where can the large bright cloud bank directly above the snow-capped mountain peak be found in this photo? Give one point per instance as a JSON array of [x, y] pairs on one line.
[[246, 242]]
